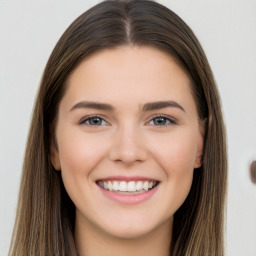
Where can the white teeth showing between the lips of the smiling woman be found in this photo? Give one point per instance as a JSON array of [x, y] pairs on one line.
[[131, 187]]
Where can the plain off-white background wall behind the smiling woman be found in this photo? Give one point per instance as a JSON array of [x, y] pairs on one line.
[[29, 30]]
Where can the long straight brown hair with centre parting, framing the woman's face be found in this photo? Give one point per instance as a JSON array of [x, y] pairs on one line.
[[45, 214]]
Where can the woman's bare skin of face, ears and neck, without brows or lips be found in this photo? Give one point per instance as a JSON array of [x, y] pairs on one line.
[[127, 142]]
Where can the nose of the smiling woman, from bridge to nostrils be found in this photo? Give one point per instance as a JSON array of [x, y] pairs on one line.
[[128, 146]]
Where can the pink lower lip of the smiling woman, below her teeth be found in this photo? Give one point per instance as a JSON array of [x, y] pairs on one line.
[[129, 199]]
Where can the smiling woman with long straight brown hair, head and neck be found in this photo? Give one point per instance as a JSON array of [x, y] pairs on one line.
[[126, 151]]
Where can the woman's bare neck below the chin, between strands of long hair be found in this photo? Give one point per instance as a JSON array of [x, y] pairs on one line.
[[91, 241]]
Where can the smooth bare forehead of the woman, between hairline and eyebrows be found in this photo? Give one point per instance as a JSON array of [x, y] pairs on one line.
[[125, 74]]
